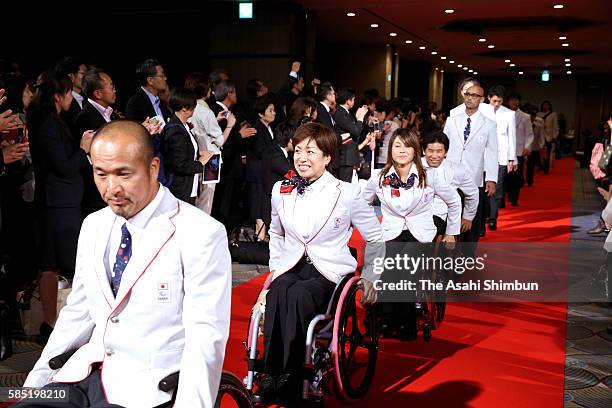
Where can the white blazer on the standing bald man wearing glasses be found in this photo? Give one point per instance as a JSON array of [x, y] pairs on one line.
[[479, 153]]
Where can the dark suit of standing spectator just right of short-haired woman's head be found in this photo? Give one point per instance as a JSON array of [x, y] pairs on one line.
[[348, 158]]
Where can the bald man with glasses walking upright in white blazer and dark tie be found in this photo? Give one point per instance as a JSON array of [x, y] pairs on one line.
[[473, 143]]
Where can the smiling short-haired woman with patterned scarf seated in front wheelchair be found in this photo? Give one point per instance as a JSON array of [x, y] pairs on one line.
[[312, 215]]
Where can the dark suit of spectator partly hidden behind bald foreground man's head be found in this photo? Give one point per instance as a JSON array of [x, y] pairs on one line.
[[90, 119]]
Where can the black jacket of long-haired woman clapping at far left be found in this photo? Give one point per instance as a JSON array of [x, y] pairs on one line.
[[57, 165]]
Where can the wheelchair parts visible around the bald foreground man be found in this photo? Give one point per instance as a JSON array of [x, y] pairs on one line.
[[231, 390]]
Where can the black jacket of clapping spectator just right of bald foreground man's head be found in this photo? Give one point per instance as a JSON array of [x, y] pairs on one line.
[[178, 153]]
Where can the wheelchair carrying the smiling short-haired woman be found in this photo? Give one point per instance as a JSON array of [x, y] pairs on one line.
[[340, 350]]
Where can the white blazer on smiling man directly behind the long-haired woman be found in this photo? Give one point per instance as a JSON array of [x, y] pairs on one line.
[[460, 178]]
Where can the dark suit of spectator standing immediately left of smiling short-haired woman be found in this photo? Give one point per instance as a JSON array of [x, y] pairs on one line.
[[256, 152]]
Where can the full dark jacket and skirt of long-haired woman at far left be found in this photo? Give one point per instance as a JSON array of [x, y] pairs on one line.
[[59, 192]]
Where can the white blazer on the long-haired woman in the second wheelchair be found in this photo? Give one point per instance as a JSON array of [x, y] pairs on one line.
[[413, 209]]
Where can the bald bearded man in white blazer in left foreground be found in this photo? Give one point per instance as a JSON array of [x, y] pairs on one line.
[[151, 292]]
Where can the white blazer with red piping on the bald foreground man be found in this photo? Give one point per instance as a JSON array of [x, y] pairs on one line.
[[144, 333]]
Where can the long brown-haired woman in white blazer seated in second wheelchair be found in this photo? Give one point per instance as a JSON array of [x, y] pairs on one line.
[[406, 192]]
